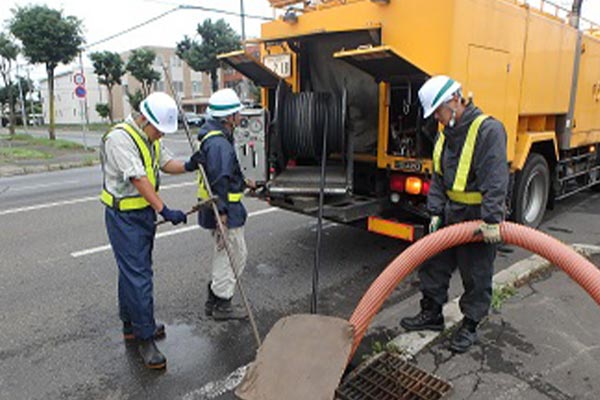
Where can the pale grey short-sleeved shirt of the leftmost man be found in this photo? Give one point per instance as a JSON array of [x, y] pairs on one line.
[[121, 160]]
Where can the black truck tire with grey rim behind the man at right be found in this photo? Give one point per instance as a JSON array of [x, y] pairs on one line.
[[530, 195]]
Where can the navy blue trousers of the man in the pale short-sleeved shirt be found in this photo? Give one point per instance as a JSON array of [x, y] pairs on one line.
[[131, 235]]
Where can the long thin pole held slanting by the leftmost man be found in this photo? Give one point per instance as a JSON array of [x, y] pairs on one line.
[[220, 226]]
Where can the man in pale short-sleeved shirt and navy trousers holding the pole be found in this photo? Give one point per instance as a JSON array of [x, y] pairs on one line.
[[132, 155]]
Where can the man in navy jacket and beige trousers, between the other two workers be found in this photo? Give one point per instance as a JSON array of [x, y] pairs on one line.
[[217, 154]]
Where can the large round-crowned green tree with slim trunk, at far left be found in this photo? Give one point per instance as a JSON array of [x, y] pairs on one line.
[[47, 37]]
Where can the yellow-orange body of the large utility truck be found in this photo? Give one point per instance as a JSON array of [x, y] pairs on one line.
[[528, 68]]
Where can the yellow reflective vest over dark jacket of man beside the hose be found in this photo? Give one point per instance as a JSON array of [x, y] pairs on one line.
[[457, 193]]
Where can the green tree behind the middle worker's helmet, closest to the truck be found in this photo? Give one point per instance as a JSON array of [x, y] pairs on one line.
[[217, 38]]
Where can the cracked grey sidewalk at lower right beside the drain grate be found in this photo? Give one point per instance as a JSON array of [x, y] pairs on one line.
[[543, 343]]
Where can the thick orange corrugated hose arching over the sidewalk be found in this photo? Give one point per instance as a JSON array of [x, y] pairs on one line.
[[576, 266]]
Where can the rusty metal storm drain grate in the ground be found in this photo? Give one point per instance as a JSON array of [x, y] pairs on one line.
[[389, 377]]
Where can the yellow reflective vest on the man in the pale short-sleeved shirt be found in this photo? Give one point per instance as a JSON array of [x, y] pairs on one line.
[[150, 165]]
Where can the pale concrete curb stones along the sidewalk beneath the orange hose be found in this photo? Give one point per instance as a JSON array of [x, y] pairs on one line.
[[409, 344]]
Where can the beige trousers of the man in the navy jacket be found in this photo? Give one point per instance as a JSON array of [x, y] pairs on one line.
[[223, 279]]
